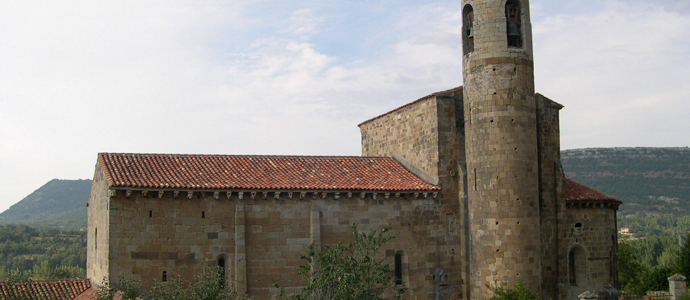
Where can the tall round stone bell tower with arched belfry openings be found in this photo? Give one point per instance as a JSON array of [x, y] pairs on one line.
[[501, 145]]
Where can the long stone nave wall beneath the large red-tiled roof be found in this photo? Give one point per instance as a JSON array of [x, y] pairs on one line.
[[261, 235]]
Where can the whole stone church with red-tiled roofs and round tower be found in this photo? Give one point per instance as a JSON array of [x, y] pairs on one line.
[[469, 179]]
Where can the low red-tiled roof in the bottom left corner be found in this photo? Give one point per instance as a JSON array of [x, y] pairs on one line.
[[44, 289]]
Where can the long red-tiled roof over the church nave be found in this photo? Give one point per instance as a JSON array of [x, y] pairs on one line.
[[182, 171]]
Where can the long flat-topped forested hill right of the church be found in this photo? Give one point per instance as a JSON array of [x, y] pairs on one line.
[[648, 180]]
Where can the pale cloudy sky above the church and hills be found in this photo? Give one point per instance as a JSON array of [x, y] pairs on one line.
[[79, 77]]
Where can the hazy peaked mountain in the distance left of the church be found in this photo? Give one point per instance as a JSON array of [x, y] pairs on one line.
[[58, 203]]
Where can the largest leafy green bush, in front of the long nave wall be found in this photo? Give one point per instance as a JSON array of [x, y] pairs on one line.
[[348, 271]]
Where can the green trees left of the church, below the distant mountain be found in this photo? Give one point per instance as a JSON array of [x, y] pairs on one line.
[[29, 253]]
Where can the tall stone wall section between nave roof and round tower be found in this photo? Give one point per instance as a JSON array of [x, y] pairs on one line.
[[428, 135]]
